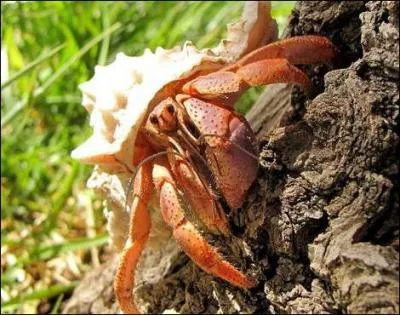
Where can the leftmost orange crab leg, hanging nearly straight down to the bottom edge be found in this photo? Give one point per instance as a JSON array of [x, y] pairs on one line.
[[138, 235]]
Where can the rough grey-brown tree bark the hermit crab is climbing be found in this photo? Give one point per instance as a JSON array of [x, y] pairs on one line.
[[320, 226]]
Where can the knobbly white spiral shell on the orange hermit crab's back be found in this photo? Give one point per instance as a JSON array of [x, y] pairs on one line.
[[120, 95]]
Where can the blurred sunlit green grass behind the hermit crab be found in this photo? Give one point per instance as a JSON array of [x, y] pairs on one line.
[[48, 49]]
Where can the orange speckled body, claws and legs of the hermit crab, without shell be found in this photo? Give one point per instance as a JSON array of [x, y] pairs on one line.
[[200, 123]]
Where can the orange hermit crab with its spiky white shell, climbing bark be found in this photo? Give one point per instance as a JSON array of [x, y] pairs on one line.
[[168, 118]]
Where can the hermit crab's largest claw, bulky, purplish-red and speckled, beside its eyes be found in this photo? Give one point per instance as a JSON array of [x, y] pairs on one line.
[[231, 148]]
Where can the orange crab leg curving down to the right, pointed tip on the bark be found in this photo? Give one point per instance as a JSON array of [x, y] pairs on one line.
[[186, 234]]
